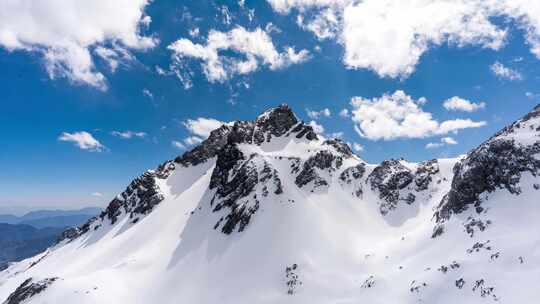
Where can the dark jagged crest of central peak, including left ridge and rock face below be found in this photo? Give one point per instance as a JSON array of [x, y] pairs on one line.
[[143, 193]]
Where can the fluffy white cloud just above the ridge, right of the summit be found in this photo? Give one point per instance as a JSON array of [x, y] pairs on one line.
[[397, 115]]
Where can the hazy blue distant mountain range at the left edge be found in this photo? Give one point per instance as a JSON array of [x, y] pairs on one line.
[[24, 236]]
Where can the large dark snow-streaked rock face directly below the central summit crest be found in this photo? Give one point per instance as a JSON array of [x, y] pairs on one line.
[[236, 180]]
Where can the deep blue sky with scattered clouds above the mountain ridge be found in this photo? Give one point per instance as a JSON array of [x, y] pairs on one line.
[[44, 94]]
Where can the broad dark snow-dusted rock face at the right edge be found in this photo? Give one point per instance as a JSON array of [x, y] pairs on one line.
[[496, 164]]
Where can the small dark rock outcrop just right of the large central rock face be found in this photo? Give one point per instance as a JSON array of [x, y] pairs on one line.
[[323, 160]]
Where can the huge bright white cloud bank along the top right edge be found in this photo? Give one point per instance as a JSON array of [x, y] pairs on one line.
[[389, 37]]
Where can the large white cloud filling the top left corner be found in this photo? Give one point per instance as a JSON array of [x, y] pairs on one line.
[[65, 32]]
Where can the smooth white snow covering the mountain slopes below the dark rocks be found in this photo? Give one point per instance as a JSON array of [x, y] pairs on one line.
[[345, 250]]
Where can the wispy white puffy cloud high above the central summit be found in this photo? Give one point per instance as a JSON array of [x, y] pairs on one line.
[[252, 49]]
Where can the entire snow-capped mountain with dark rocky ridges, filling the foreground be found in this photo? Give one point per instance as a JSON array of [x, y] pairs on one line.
[[268, 211]]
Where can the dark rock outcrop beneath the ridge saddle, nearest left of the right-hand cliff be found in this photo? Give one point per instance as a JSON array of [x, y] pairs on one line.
[[388, 179]]
